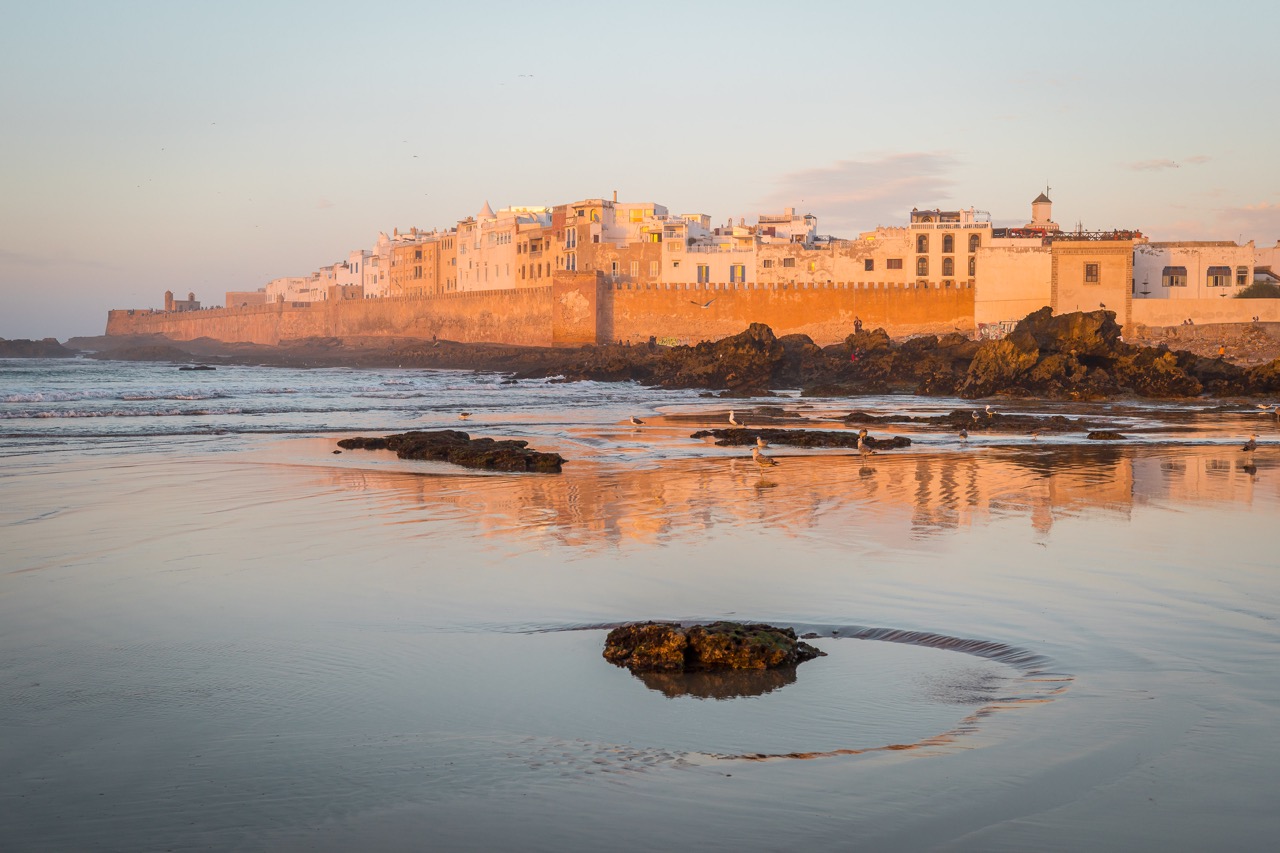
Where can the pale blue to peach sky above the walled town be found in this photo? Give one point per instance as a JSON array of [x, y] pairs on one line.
[[214, 147]]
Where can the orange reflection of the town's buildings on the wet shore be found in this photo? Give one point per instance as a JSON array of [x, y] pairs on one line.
[[595, 505]]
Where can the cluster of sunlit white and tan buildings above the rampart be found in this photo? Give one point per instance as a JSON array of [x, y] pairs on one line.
[[644, 247]]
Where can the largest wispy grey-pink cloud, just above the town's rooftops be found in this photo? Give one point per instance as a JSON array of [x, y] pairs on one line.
[[854, 195]]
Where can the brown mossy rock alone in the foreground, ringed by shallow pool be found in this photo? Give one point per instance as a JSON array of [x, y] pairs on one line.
[[660, 647]]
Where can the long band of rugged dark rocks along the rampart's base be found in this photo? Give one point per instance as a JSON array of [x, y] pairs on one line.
[[1072, 357]]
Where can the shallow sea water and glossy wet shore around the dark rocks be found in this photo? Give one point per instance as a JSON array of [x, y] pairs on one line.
[[217, 633]]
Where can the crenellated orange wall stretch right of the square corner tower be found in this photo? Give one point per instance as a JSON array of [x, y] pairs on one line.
[[825, 313]]
